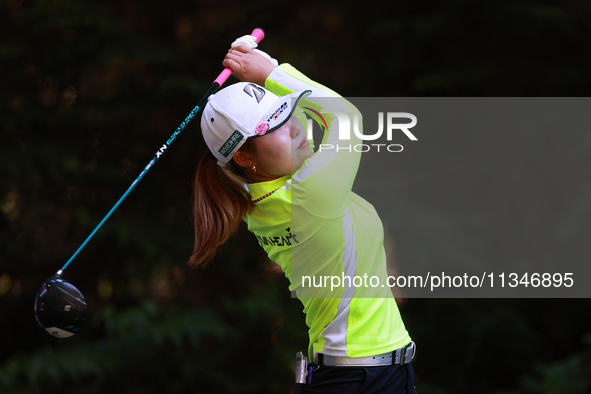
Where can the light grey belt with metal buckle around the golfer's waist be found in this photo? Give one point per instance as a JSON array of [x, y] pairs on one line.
[[400, 356]]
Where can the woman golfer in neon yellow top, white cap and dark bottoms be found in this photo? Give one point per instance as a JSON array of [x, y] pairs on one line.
[[297, 200]]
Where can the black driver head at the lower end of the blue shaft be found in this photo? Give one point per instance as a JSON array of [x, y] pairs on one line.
[[60, 308]]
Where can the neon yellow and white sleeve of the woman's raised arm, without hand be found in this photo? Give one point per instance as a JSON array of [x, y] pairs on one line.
[[323, 184]]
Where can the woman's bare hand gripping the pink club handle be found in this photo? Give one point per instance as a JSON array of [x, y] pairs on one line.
[[248, 65]]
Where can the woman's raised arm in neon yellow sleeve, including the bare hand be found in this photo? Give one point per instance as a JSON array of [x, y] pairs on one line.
[[323, 184]]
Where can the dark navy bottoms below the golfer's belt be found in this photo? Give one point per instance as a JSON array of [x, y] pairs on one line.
[[391, 379]]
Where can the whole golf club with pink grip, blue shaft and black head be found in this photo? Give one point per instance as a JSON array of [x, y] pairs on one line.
[[60, 308]]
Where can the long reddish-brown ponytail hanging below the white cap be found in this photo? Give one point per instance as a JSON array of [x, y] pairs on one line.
[[220, 202]]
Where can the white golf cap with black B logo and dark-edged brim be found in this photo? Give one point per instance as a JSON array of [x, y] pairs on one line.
[[241, 111]]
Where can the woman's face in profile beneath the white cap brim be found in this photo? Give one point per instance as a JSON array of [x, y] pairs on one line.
[[283, 151]]
